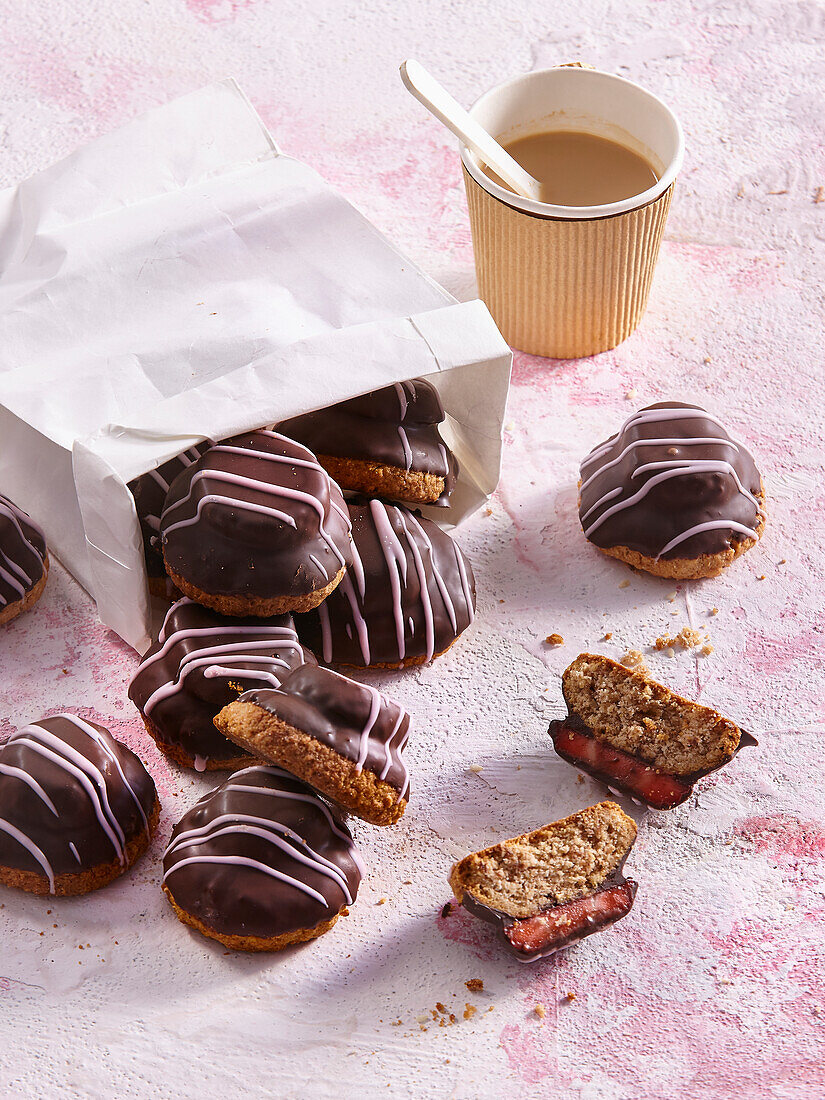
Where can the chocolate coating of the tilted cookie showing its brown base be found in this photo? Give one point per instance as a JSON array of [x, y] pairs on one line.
[[355, 720]]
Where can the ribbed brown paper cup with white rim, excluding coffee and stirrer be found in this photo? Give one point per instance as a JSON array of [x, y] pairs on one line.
[[567, 282]]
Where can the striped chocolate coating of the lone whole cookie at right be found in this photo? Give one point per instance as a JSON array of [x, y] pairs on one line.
[[670, 485]]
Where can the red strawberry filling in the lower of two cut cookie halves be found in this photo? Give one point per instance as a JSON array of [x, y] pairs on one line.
[[564, 925]]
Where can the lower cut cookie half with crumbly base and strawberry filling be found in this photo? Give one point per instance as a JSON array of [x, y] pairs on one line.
[[553, 887]]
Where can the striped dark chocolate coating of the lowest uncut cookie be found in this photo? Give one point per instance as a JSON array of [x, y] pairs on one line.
[[273, 859]]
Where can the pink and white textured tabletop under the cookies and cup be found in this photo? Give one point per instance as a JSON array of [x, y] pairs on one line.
[[713, 987]]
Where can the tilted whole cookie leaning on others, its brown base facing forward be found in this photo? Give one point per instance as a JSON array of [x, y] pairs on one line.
[[343, 738]]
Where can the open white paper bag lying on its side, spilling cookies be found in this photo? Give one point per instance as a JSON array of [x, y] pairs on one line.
[[181, 279]]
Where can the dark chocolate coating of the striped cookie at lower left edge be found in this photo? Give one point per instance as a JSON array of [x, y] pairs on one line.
[[72, 798]]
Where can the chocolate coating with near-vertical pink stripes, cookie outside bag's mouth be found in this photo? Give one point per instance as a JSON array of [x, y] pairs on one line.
[[409, 596]]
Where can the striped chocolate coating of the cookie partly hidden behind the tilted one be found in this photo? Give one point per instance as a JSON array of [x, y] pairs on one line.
[[203, 662]]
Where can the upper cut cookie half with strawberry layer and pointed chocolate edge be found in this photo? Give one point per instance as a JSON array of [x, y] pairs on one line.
[[639, 736]]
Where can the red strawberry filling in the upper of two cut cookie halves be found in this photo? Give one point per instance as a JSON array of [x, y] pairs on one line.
[[619, 769]]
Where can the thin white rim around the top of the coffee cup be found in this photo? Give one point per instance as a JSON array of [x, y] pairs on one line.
[[577, 214]]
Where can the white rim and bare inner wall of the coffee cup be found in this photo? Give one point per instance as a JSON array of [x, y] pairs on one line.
[[580, 100]]
